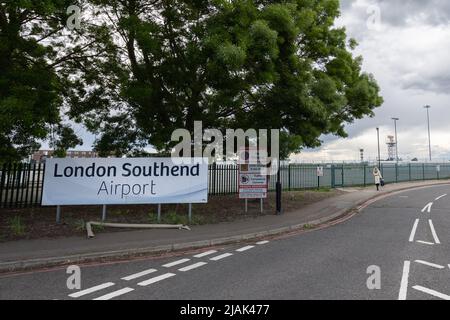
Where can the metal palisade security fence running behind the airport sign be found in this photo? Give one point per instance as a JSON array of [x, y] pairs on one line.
[[21, 184]]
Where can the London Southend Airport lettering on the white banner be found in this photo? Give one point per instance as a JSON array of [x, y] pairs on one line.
[[127, 170]]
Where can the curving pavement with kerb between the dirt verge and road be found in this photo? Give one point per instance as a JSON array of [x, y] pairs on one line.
[[28, 254]]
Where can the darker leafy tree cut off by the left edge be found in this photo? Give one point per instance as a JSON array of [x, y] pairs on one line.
[[31, 89]]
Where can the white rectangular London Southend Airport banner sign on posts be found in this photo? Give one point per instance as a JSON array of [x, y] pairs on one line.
[[103, 181]]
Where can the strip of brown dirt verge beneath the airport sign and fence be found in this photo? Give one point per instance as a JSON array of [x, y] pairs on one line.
[[35, 223]]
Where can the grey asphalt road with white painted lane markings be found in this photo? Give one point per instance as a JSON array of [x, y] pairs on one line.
[[411, 248]]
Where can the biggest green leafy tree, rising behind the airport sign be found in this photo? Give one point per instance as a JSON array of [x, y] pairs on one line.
[[231, 64]]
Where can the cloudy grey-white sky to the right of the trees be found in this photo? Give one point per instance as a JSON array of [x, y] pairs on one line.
[[406, 45]]
